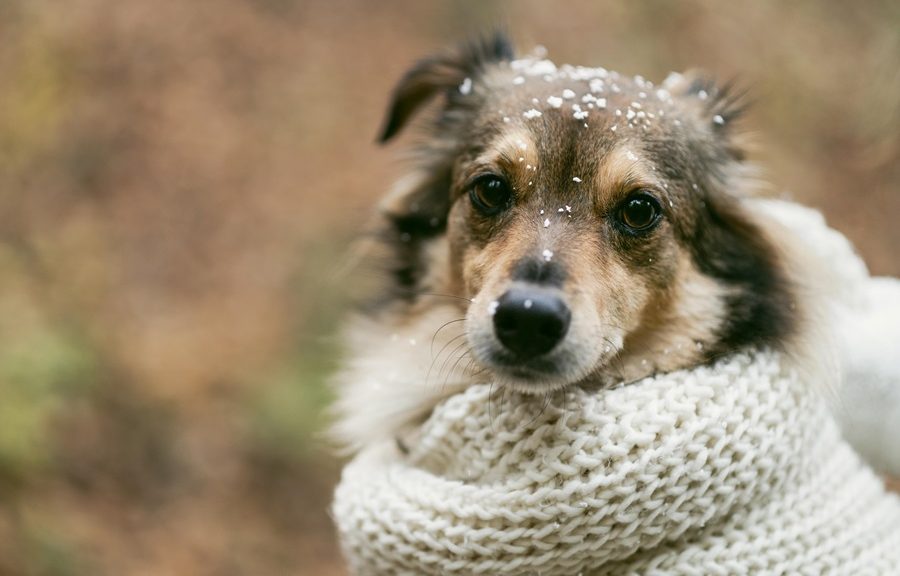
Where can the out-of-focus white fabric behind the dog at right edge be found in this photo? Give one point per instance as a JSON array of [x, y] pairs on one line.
[[863, 316]]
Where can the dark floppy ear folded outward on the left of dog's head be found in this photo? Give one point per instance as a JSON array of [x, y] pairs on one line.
[[443, 72]]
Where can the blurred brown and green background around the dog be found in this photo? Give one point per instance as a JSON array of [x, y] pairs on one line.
[[180, 180]]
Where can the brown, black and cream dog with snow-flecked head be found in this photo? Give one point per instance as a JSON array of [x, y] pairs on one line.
[[560, 226]]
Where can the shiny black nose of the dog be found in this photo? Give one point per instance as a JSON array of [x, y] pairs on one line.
[[530, 322]]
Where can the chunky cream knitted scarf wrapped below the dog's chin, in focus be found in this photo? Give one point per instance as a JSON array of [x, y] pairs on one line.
[[738, 467]]
